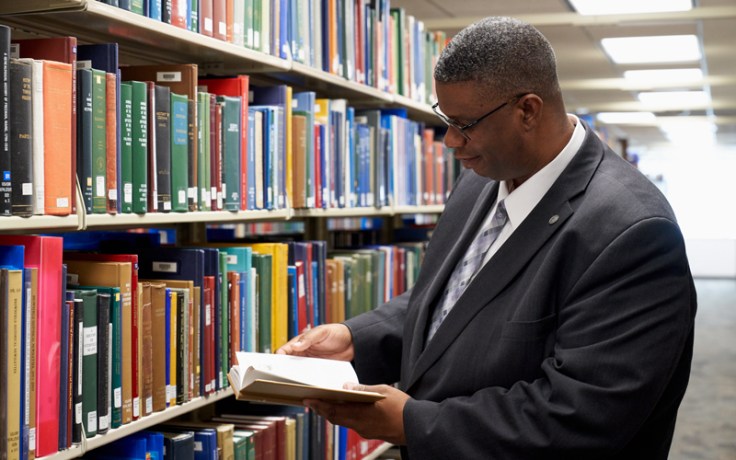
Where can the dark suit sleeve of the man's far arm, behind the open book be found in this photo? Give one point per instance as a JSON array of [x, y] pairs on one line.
[[377, 339]]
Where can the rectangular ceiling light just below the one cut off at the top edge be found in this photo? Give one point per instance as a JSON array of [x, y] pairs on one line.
[[656, 49]]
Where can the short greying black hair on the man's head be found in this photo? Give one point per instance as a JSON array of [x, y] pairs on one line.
[[505, 55]]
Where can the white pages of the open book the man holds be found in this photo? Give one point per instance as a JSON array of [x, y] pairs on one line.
[[326, 373]]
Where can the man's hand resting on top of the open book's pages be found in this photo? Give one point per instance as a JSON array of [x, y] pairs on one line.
[[331, 341]]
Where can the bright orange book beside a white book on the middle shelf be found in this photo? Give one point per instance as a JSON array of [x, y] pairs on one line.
[[57, 132]]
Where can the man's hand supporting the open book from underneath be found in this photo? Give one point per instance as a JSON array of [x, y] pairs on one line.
[[383, 419]]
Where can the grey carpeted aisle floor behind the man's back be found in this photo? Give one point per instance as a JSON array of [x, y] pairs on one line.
[[706, 425]]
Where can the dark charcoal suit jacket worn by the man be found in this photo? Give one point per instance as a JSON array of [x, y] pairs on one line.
[[574, 341]]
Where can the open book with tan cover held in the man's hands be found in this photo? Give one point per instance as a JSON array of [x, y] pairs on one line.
[[285, 379]]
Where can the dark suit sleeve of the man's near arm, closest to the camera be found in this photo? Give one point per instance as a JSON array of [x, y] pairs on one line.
[[623, 331]]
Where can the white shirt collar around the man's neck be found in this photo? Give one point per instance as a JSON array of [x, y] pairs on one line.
[[522, 200]]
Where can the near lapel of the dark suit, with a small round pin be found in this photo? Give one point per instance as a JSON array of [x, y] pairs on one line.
[[542, 223]]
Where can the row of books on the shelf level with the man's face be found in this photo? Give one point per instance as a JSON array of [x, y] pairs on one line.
[[157, 138]]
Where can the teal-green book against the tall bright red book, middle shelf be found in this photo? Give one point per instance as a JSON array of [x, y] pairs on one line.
[[231, 167]]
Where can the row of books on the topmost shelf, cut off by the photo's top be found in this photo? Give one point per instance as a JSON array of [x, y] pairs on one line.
[[363, 41]]
